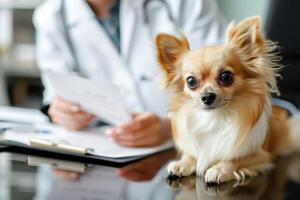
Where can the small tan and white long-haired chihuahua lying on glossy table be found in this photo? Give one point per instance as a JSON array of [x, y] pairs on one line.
[[221, 115]]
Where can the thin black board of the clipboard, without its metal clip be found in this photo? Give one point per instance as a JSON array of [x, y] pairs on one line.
[[15, 147]]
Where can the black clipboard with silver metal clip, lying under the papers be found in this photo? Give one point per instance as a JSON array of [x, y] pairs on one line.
[[47, 148]]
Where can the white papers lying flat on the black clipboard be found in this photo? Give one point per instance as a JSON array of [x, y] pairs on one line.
[[94, 139]]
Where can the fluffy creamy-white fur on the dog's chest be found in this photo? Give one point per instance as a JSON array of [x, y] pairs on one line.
[[211, 136]]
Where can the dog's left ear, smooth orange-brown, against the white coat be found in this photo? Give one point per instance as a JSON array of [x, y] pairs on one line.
[[169, 51]]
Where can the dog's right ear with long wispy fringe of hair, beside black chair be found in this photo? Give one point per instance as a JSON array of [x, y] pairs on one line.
[[258, 54]]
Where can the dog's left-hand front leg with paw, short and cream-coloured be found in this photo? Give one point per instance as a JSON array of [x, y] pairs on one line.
[[186, 166]]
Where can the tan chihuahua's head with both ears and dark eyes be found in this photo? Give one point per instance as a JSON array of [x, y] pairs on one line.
[[216, 76]]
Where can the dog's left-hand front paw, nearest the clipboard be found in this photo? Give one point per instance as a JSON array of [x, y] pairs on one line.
[[181, 168]]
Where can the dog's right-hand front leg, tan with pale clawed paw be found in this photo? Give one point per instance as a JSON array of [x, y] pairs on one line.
[[239, 169]]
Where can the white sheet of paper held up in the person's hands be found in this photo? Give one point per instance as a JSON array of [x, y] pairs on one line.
[[102, 99]]
